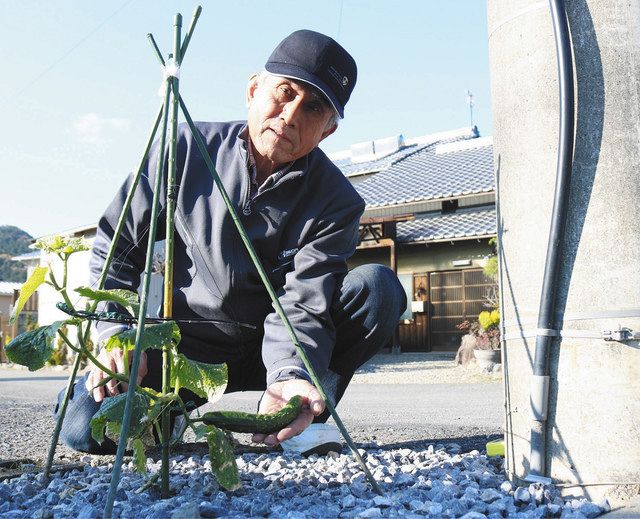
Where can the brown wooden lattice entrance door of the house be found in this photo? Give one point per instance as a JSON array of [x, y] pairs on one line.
[[450, 297]]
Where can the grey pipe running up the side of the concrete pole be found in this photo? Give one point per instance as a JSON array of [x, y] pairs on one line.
[[547, 323]]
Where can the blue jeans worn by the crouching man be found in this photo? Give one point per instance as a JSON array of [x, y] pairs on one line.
[[365, 313]]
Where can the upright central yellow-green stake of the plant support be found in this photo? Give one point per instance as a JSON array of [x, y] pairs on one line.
[[172, 193]]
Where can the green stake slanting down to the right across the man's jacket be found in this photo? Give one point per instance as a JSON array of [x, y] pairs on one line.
[[274, 298]]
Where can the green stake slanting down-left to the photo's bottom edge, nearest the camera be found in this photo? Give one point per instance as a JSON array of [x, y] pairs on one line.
[[133, 376]]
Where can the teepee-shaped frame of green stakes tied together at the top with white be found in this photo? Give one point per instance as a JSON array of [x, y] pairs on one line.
[[172, 101]]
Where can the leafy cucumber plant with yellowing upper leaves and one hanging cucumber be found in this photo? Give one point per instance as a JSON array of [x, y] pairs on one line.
[[34, 348]]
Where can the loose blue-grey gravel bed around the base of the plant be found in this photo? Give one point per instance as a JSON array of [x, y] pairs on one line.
[[438, 481]]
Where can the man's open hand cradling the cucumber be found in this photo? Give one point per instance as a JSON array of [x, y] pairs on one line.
[[276, 397]]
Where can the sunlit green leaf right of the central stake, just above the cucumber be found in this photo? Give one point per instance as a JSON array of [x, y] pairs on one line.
[[206, 380]]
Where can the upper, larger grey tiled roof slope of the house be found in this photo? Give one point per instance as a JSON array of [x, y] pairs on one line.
[[428, 174]]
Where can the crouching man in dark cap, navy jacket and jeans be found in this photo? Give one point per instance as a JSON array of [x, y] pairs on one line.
[[302, 217]]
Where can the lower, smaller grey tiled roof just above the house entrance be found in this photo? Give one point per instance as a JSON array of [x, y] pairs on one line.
[[465, 223]]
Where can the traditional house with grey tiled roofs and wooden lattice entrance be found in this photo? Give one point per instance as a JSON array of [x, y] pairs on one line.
[[430, 212]]
